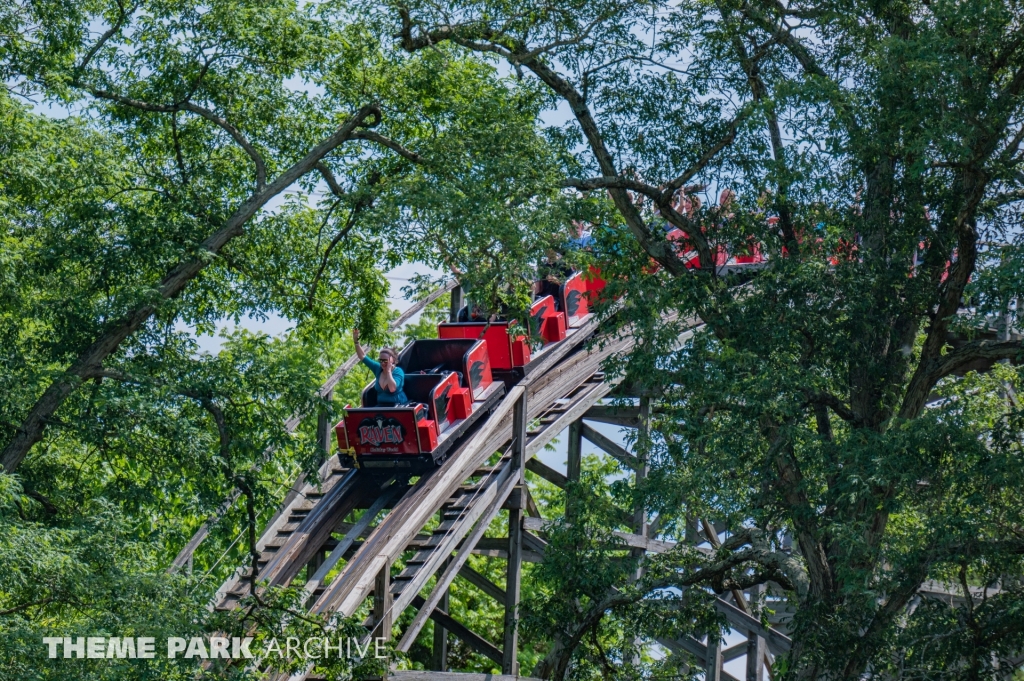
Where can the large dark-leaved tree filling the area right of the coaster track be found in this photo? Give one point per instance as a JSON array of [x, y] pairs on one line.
[[883, 141]]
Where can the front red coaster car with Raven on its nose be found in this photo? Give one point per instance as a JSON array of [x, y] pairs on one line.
[[449, 385]]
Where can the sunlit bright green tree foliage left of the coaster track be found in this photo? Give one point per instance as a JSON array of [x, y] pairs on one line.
[[219, 161]]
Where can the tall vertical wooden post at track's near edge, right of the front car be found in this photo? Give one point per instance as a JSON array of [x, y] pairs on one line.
[[510, 664]]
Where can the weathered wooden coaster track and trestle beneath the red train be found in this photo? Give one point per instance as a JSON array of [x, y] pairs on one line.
[[460, 500]]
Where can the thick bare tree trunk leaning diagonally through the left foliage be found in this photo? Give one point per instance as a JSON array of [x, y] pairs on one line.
[[88, 364]]
